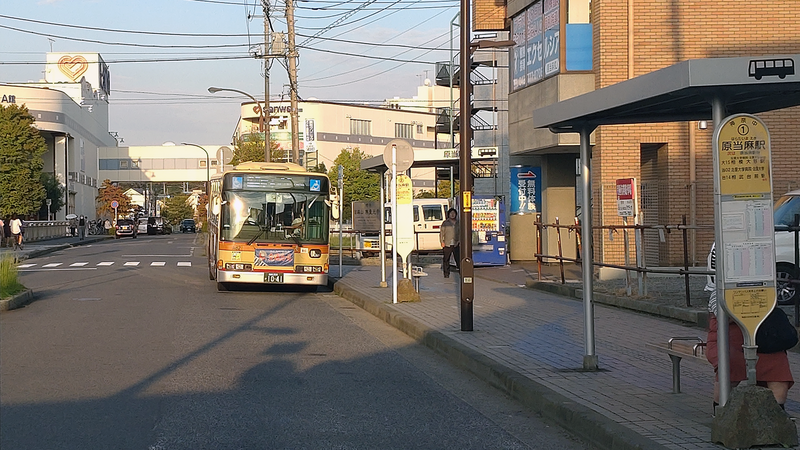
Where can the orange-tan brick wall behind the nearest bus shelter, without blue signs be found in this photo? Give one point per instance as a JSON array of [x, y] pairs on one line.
[[665, 33]]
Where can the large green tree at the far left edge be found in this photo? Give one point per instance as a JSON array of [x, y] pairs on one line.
[[21, 150]]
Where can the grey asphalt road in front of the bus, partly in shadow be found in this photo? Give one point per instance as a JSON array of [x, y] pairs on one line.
[[130, 346]]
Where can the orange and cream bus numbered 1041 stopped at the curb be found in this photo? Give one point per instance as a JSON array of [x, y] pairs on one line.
[[269, 223]]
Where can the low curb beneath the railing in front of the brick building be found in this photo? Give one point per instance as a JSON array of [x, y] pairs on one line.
[[694, 317]]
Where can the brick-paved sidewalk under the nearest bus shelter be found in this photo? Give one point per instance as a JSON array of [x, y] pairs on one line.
[[529, 343]]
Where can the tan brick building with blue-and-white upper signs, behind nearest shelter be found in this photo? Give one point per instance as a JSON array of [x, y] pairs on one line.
[[565, 48]]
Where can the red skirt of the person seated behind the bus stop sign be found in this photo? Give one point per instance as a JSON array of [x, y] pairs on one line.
[[769, 367]]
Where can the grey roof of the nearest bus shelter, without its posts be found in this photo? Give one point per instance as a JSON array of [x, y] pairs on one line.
[[681, 92]]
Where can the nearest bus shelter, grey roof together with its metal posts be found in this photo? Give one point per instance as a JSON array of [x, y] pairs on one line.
[[700, 89]]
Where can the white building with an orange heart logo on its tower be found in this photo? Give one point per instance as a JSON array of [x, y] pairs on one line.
[[71, 110]]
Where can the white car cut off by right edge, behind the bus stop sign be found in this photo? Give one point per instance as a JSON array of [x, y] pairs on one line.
[[787, 269]]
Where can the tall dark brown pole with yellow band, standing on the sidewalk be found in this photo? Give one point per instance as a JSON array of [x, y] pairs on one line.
[[467, 286]]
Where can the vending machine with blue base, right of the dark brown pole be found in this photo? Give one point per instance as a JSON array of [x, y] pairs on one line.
[[488, 231]]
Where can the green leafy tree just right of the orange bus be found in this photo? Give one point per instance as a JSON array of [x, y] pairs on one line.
[[358, 184]]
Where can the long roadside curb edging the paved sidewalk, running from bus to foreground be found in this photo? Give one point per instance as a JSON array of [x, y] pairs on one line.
[[589, 425]]
